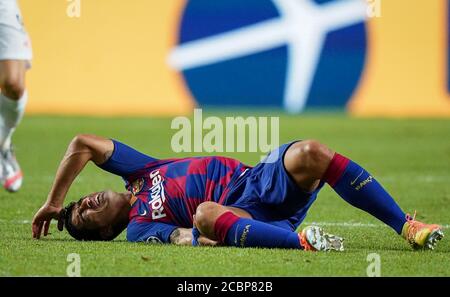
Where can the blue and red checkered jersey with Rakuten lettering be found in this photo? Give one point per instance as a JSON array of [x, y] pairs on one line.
[[169, 191]]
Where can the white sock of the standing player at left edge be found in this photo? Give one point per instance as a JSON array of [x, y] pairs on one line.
[[11, 112]]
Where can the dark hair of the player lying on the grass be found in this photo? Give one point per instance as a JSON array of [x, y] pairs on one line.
[[83, 233]]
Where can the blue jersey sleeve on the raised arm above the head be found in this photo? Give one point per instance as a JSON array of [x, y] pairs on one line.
[[125, 160]]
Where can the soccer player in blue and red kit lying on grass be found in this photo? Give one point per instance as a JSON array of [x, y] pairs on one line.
[[227, 202]]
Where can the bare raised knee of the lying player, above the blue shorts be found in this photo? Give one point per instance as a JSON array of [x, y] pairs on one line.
[[311, 154]]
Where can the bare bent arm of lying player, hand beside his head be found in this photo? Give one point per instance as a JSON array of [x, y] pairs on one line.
[[81, 150]]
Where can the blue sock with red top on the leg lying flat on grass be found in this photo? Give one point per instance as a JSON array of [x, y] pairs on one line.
[[241, 232]]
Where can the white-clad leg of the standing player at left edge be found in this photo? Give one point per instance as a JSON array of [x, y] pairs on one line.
[[15, 57]]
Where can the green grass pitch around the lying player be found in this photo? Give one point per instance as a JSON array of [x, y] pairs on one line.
[[411, 158]]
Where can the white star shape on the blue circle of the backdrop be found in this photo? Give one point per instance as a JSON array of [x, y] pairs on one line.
[[303, 26]]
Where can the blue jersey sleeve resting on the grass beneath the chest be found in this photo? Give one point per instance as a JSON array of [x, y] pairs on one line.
[[150, 232]]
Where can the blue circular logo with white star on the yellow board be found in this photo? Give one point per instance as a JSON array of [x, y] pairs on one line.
[[290, 53]]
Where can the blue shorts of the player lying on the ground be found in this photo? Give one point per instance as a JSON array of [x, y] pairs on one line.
[[269, 193]]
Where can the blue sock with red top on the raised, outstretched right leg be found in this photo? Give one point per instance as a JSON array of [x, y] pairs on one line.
[[356, 186]]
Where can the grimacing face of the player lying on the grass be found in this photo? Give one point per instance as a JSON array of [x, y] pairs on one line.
[[100, 209]]
